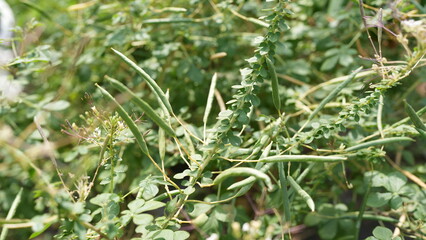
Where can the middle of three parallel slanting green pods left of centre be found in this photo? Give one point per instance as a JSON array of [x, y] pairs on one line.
[[144, 106]]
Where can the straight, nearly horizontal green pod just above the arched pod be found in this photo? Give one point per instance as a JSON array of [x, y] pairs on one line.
[[302, 158]]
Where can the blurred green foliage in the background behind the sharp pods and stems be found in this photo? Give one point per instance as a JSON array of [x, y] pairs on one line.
[[63, 48]]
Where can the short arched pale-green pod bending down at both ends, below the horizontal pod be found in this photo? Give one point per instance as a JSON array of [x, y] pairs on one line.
[[243, 171]]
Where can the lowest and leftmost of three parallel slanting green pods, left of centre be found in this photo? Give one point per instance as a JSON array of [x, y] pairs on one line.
[[125, 116]]
